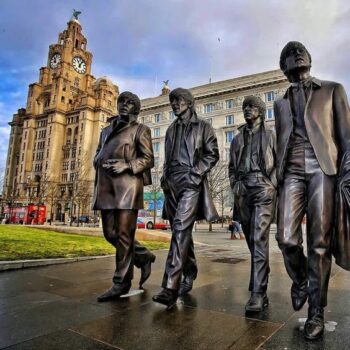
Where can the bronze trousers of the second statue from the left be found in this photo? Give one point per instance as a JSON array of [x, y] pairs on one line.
[[181, 205]]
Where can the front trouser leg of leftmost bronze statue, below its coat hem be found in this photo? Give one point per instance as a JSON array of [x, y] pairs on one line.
[[119, 227]]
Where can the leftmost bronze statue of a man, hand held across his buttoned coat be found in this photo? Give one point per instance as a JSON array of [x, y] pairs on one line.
[[123, 160]]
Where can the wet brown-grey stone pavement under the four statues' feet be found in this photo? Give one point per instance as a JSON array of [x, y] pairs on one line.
[[55, 307]]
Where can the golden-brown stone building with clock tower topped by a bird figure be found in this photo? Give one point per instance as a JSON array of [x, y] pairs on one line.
[[53, 140]]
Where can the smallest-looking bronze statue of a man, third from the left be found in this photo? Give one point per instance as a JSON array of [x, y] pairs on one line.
[[252, 175]]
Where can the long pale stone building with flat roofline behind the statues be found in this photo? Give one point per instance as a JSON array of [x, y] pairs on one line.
[[221, 104]]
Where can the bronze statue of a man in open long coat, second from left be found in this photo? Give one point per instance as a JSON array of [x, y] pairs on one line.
[[191, 150]]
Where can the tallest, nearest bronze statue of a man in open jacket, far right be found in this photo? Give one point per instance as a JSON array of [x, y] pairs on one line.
[[313, 133]]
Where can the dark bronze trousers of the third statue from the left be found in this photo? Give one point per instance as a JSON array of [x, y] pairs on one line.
[[256, 210]]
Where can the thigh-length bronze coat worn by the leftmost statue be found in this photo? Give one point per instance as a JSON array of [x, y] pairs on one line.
[[131, 143]]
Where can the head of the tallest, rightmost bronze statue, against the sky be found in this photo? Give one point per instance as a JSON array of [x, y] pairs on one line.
[[294, 56]]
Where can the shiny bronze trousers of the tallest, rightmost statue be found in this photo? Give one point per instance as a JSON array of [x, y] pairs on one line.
[[307, 188]]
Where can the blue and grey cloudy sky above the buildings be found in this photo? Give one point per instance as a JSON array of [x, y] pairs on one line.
[[140, 43]]
